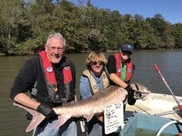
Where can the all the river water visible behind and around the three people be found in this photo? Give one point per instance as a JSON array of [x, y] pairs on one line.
[[12, 120]]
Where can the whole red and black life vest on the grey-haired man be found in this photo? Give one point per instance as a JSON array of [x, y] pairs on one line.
[[68, 90]]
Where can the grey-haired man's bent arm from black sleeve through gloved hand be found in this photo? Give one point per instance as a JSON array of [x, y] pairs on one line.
[[24, 81]]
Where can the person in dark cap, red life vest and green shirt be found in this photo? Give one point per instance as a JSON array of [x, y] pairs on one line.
[[120, 69]]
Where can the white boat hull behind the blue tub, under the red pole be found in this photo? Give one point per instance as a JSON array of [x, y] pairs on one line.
[[157, 104]]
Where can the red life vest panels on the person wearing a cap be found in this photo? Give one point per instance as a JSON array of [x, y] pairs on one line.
[[129, 67]]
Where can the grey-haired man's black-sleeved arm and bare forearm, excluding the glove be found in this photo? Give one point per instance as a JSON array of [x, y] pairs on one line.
[[24, 81]]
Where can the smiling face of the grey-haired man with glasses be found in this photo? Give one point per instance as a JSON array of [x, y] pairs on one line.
[[55, 50]]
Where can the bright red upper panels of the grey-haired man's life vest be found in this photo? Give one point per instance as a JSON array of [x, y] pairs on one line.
[[49, 73]]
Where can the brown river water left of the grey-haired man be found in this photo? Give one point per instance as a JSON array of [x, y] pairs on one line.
[[12, 121]]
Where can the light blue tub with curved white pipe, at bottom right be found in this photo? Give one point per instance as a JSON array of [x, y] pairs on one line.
[[149, 125]]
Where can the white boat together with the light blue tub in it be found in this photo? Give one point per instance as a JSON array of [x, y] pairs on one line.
[[157, 115]]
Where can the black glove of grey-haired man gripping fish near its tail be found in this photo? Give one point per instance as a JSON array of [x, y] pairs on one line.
[[46, 111]]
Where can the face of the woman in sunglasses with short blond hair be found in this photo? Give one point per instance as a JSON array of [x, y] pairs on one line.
[[97, 67]]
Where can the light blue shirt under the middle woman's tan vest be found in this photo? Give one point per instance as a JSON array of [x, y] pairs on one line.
[[85, 88]]
